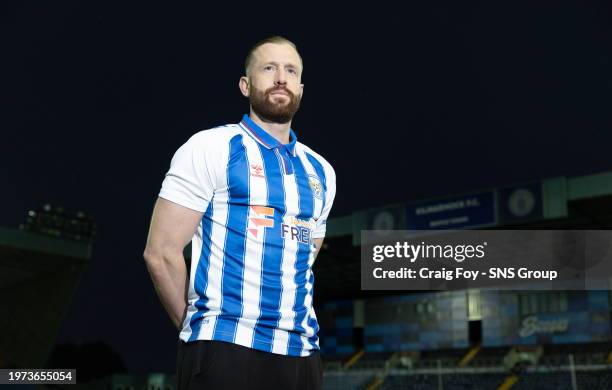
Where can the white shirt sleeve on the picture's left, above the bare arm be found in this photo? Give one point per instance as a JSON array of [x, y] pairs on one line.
[[190, 180]]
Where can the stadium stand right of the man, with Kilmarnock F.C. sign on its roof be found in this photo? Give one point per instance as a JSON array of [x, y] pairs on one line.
[[489, 352]]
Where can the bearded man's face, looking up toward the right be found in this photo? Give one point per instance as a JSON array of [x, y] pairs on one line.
[[275, 88]]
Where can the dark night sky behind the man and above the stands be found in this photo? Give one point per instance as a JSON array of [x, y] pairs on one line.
[[406, 103]]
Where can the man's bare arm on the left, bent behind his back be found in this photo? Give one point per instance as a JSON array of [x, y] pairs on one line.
[[172, 227]]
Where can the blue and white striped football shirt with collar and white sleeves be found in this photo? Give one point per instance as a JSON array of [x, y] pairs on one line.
[[251, 279]]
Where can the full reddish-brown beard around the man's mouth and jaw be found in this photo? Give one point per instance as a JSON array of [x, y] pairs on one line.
[[270, 111]]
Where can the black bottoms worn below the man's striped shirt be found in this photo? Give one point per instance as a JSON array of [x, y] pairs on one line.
[[221, 365]]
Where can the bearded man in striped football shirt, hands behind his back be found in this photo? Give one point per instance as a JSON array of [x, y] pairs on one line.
[[254, 202]]
